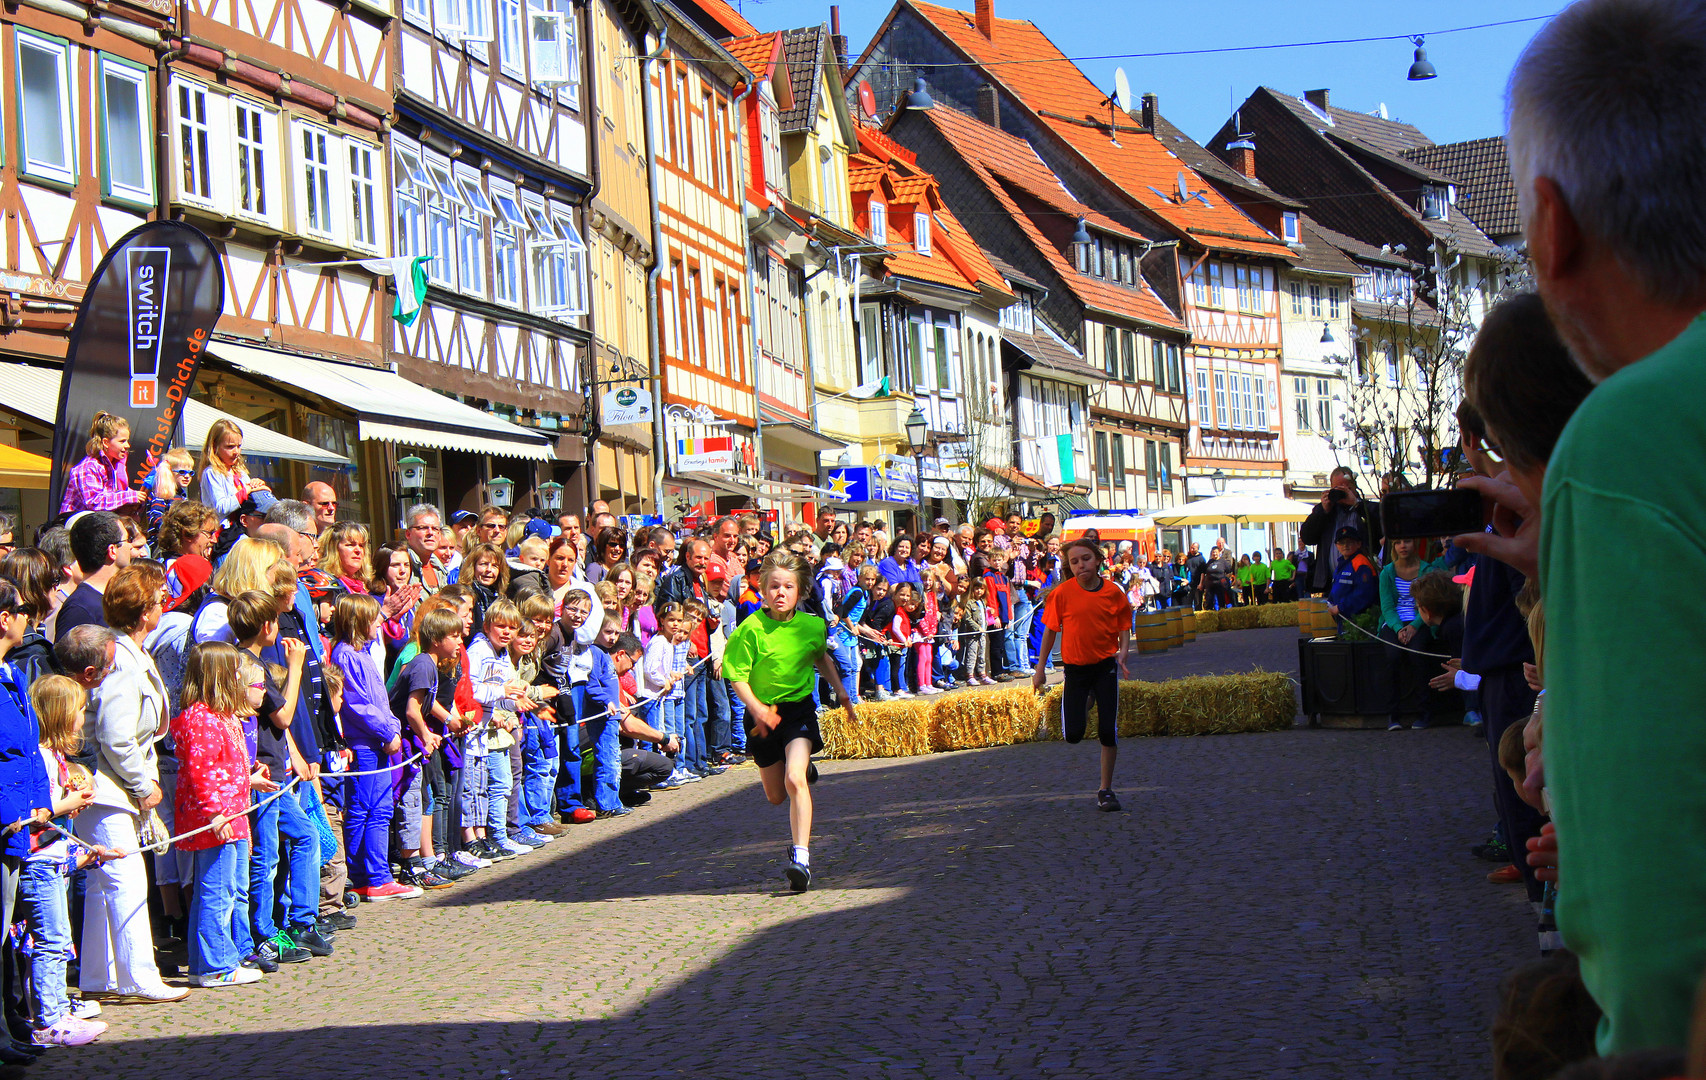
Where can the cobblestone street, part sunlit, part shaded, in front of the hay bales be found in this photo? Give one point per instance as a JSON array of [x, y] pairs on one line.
[[1285, 905]]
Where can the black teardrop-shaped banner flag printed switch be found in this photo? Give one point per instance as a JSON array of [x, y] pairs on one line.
[[137, 342]]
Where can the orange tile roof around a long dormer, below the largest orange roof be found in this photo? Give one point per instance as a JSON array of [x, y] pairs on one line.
[[1002, 161]]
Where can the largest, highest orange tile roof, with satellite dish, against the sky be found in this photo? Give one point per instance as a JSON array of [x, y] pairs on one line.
[[1074, 108]]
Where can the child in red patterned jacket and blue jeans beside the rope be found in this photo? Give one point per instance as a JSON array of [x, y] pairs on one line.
[[223, 688]]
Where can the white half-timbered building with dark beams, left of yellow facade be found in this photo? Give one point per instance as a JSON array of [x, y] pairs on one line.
[[490, 166]]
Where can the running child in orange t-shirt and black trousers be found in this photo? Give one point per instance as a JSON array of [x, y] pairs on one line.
[[1093, 618]]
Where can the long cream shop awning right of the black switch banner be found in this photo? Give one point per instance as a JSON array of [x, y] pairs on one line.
[[388, 407]]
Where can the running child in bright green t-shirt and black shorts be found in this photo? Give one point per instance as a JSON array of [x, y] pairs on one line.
[[772, 663]]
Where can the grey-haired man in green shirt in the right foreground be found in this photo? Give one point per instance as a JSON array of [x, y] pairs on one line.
[[1606, 148]]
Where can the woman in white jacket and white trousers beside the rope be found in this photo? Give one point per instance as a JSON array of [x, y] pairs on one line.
[[127, 714]]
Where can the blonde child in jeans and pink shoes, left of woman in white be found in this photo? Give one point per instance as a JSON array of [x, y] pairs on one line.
[[44, 876]]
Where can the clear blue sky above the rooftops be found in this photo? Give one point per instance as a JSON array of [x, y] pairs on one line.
[[1466, 102]]
